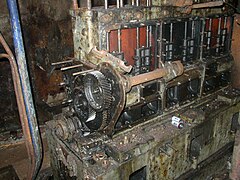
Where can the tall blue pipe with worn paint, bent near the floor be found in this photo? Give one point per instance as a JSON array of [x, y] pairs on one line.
[[25, 84]]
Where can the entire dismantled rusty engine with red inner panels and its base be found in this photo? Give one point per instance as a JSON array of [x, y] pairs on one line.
[[137, 65]]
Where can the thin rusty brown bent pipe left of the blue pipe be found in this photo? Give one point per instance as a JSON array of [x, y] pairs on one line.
[[20, 104]]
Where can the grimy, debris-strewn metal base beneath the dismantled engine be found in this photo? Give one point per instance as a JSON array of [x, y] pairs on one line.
[[165, 151]]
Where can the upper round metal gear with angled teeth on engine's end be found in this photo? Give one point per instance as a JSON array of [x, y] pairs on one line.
[[97, 90]]
